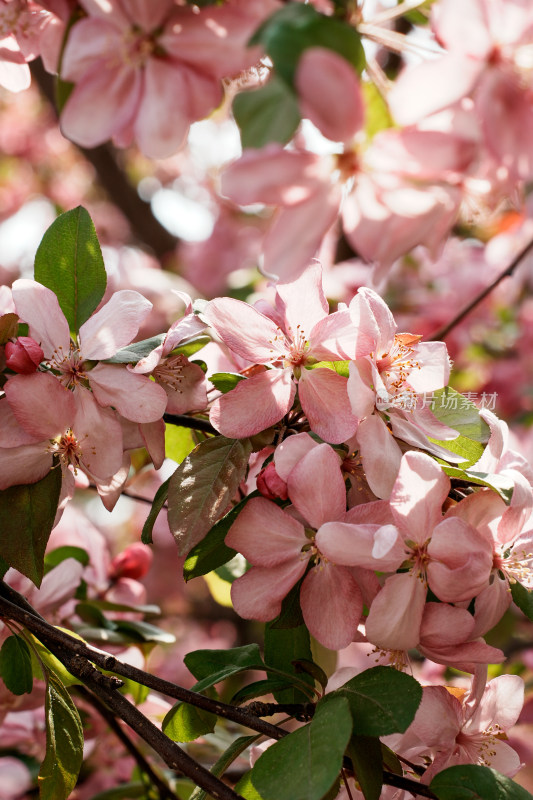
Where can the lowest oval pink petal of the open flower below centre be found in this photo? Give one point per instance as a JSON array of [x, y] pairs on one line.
[[332, 605]]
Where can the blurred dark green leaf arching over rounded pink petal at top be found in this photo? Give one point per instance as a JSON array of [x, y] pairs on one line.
[[294, 28]]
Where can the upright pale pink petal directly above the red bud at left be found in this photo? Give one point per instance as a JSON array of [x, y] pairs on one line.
[[39, 307]]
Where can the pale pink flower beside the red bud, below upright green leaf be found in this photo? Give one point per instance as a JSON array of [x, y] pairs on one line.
[[113, 326]]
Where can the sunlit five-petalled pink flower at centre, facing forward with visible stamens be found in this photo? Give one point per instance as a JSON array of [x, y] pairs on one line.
[[294, 337]]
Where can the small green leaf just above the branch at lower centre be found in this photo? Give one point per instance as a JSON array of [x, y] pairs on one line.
[[212, 666]]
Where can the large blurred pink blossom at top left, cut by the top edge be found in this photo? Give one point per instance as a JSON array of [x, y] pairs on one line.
[[145, 73]]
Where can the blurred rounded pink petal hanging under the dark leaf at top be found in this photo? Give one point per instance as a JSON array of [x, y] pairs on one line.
[[329, 93]]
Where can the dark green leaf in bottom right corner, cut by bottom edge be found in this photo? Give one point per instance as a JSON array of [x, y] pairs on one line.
[[472, 782]]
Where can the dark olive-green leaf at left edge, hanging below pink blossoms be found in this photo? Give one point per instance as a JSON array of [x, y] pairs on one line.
[[27, 515]]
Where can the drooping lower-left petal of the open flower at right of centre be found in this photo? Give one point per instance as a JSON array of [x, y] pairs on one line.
[[396, 614]]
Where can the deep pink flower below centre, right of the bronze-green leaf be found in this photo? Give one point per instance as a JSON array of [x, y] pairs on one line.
[[281, 546]]
